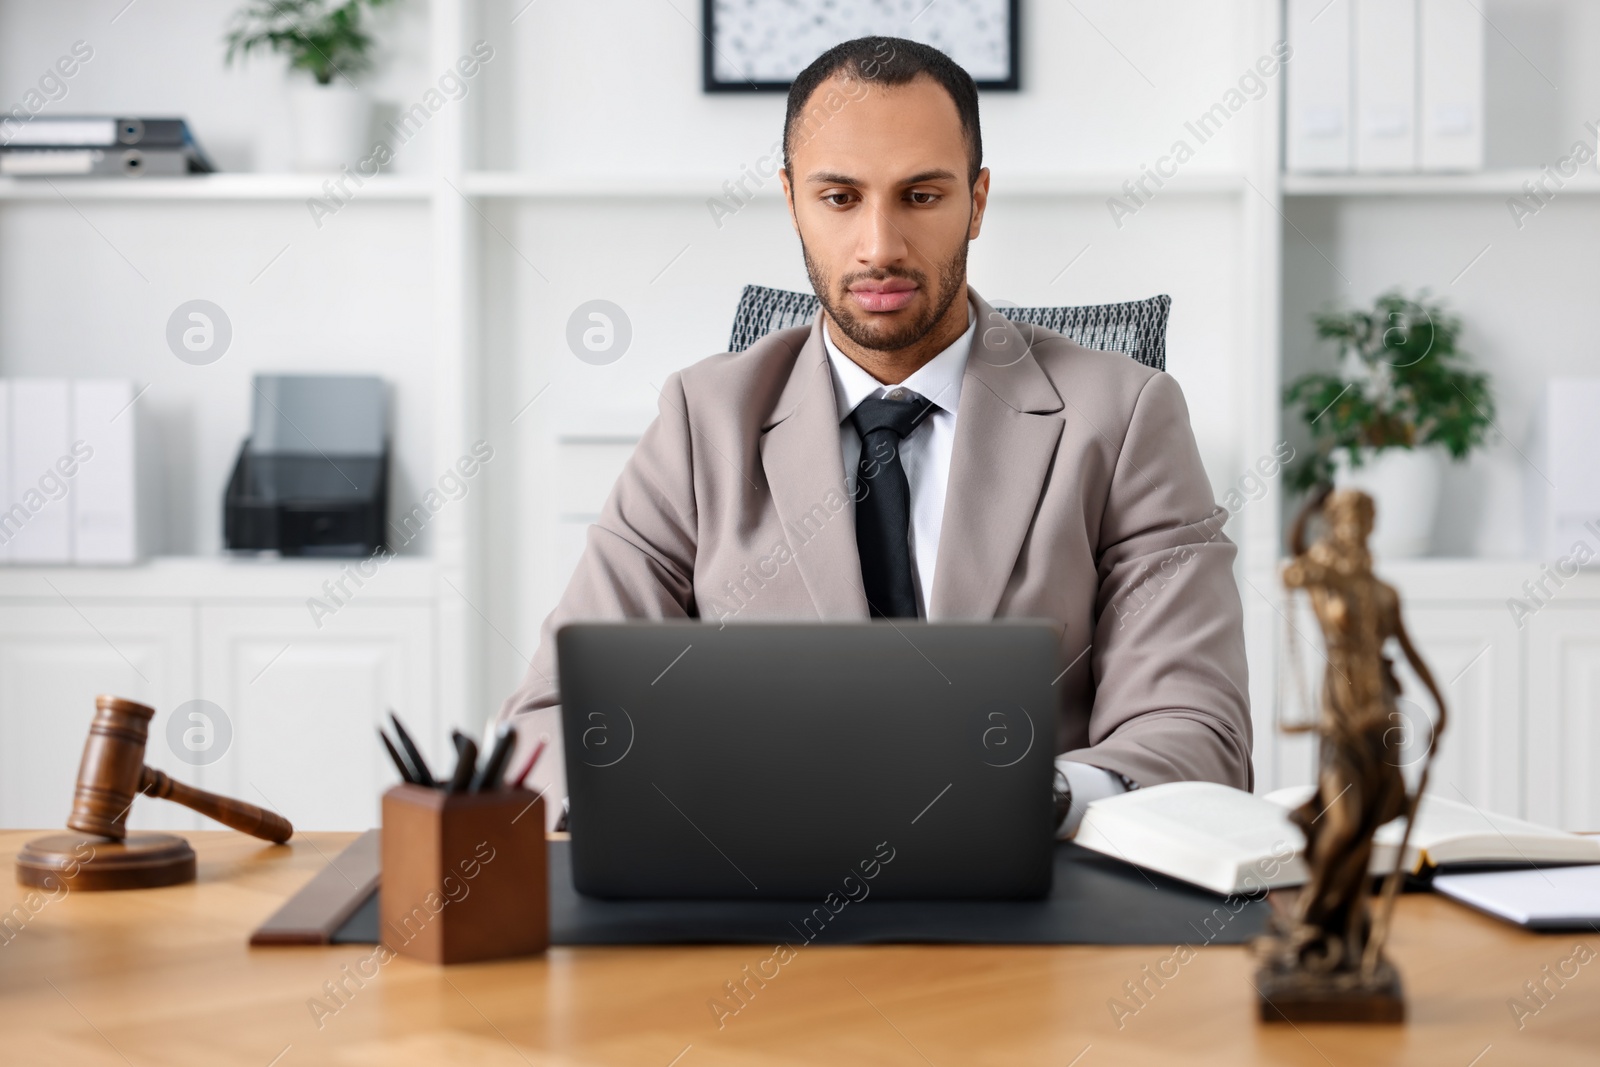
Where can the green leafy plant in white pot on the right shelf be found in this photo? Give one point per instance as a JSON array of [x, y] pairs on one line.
[[1401, 398]]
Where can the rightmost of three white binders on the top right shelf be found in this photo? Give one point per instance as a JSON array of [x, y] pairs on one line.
[[1452, 86]]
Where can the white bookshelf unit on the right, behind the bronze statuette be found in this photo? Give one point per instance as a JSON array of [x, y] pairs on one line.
[[1519, 685]]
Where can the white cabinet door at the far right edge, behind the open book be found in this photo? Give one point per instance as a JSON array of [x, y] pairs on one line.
[[1564, 717]]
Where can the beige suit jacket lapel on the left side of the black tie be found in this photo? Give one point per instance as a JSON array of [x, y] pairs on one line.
[[806, 474]]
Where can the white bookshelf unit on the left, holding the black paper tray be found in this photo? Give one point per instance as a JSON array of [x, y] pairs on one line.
[[294, 650]]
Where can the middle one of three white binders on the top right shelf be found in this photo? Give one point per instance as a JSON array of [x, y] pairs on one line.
[[1385, 86]]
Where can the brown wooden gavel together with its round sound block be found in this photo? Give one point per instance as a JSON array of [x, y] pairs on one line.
[[103, 855]]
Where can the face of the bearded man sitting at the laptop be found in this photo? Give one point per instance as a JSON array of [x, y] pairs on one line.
[[882, 207]]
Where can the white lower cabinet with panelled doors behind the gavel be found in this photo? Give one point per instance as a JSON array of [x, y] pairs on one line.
[[290, 698]]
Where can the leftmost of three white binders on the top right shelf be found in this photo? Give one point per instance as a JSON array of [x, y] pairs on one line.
[[1318, 108]]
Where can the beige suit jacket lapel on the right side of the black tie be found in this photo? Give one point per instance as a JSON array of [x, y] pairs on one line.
[[1006, 442]]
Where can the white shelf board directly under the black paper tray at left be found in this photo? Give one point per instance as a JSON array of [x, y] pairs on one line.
[[218, 578]]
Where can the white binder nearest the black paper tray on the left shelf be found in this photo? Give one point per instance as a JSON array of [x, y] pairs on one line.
[[105, 433]]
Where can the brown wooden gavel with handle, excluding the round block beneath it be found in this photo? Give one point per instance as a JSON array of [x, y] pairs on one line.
[[114, 773]]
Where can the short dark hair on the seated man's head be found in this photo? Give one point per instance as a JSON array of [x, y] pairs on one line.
[[889, 62]]
